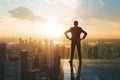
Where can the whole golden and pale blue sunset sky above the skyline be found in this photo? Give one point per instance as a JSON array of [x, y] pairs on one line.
[[21, 18]]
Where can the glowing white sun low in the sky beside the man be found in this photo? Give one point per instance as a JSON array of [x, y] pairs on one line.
[[52, 29]]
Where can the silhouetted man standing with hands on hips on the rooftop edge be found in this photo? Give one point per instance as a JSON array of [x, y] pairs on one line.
[[75, 40]]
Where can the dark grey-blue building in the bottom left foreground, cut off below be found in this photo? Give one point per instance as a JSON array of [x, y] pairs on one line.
[[12, 69]]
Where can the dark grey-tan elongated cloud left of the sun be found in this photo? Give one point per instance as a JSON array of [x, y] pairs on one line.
[[26, 14]]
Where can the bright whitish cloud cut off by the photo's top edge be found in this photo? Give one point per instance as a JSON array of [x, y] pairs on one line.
[[68, 3]]
